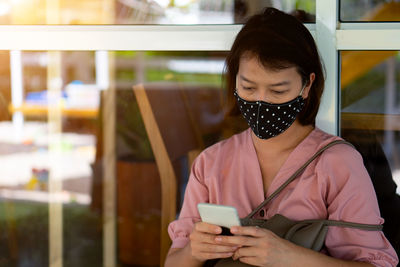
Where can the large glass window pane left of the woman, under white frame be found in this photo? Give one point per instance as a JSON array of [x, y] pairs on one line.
[[54, 138]]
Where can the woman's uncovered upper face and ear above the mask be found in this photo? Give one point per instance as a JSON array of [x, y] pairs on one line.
[[254, 82]]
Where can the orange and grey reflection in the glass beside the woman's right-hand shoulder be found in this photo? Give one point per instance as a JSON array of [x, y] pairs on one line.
[[370, 99]]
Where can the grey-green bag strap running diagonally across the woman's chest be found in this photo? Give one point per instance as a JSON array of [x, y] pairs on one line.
[[294, 175]]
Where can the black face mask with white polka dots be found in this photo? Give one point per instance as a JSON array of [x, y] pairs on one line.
[[268, 120]]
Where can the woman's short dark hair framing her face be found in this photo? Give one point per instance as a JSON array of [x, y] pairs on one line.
[[279, 41]]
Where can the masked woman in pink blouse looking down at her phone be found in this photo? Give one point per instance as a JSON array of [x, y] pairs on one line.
[[275, 80]]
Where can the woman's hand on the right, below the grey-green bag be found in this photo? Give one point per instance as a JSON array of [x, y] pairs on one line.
[[259, 247]]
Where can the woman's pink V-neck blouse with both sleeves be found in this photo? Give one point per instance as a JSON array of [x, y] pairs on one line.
[[336, 186]]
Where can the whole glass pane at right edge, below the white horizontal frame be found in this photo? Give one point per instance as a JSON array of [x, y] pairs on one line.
[[370, 110]]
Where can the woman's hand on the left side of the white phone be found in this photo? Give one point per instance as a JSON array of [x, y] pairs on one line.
[[203, 244]]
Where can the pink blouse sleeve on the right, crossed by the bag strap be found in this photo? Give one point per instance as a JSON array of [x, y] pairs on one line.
[[350, 196]]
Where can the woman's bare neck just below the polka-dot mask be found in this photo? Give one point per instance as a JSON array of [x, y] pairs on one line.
[[286, 141]]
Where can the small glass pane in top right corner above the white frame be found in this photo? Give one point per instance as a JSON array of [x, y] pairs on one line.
[[369, 10]]
